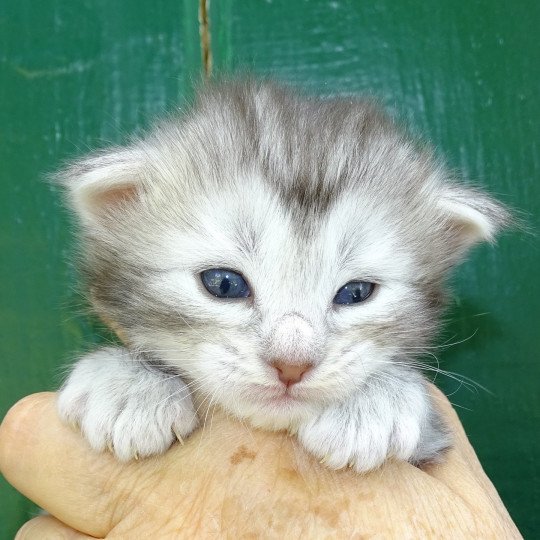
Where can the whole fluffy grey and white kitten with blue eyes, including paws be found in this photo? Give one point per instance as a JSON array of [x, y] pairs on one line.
[[282, 257]]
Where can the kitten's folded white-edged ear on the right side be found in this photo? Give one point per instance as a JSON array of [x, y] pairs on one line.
[[471, 215]]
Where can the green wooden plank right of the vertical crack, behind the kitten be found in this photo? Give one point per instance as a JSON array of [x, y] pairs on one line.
[[465, 76]]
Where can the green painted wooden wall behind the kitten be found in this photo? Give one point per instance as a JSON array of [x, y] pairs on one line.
[[466, 75]]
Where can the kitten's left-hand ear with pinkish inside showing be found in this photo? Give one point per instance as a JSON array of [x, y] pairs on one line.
[[103, 183]]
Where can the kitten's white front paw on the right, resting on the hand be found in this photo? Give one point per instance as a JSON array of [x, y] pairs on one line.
[[374, 424]]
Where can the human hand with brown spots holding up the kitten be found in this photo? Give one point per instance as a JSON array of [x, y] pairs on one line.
[[229, 480]]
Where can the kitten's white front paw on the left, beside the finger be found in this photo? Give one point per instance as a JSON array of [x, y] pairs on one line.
[[125, 406]]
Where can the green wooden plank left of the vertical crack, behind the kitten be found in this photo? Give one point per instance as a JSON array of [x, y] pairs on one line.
[[74, 75]]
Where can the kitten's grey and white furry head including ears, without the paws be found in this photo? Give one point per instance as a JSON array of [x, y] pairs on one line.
[[298, 196]]
